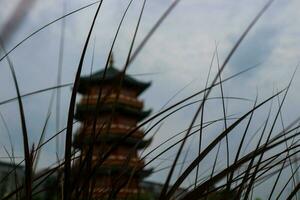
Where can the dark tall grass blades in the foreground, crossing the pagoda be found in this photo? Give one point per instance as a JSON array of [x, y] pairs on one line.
[[237, 179]]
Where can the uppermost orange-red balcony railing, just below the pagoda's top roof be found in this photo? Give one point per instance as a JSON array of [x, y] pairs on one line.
[[112, 98]]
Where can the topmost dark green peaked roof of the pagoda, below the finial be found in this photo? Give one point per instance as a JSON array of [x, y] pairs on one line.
[[112, 75]]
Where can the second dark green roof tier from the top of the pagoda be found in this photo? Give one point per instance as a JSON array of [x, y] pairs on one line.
[[83, 109]]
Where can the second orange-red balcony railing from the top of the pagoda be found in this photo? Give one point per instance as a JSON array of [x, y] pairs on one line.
[[121, 129]]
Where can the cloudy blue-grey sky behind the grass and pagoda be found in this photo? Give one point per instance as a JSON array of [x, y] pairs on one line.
[[177, 56]]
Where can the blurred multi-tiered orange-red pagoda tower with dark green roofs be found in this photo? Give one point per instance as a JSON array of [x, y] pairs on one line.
[[118, 112]]
